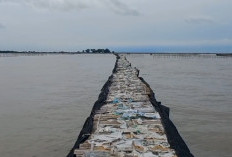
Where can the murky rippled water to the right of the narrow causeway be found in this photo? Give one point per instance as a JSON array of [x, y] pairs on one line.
[[198, 89]]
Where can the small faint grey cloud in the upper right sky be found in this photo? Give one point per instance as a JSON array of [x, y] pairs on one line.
[[199, 20]]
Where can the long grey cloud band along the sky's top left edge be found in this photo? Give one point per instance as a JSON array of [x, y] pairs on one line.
[[116, 6]]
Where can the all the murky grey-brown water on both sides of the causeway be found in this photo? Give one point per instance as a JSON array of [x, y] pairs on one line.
[[44, 100]]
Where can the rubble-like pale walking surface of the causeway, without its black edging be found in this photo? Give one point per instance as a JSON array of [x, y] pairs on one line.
[[127, 125]]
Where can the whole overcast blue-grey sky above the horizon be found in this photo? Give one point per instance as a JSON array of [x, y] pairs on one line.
[[131, 25]]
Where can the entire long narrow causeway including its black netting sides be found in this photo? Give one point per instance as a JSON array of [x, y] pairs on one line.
[[127, 121]]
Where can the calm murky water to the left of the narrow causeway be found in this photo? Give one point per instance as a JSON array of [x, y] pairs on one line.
[[44, 101]]
